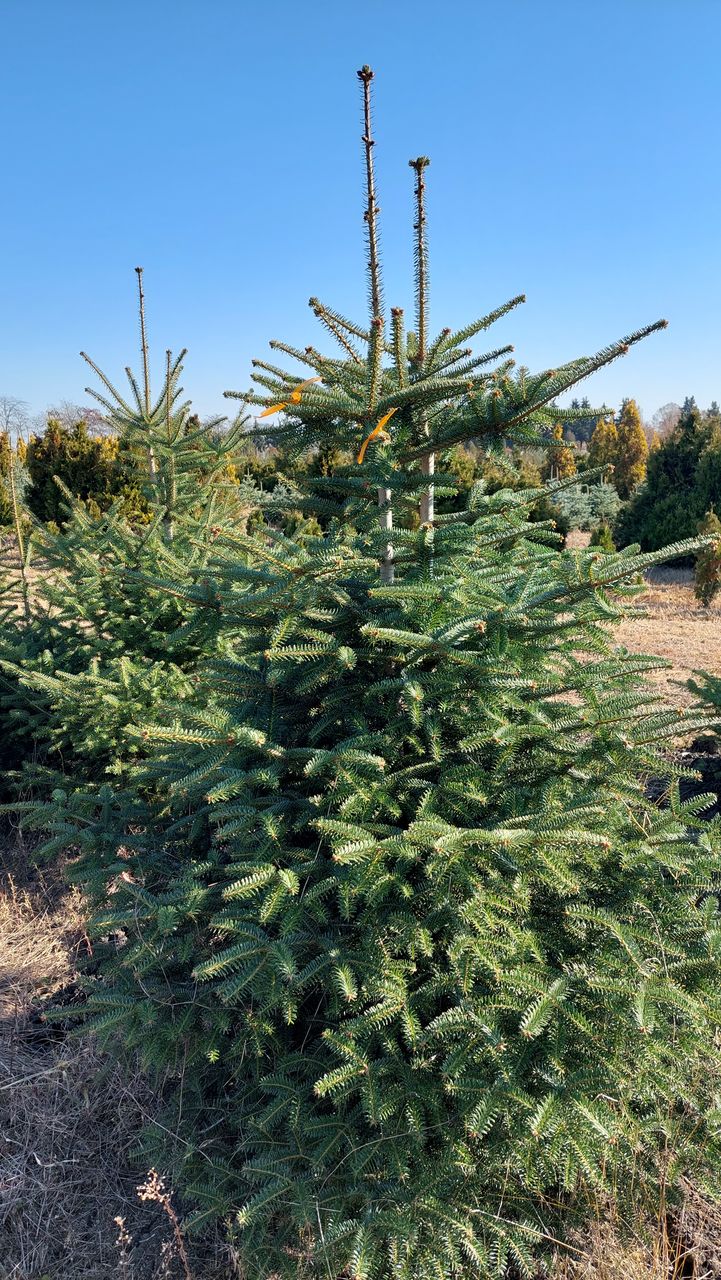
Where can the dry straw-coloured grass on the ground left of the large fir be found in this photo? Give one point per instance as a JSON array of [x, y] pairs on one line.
[[70, 1118]]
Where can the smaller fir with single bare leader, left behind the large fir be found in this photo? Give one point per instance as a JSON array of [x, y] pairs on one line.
[[98, 642]]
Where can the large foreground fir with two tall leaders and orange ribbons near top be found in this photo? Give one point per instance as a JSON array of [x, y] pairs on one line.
[[421, 966]]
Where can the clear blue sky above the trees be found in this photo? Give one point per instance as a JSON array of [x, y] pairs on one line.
[[574, 154]]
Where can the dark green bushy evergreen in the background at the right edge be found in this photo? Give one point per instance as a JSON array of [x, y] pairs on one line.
[[683, 483]]
